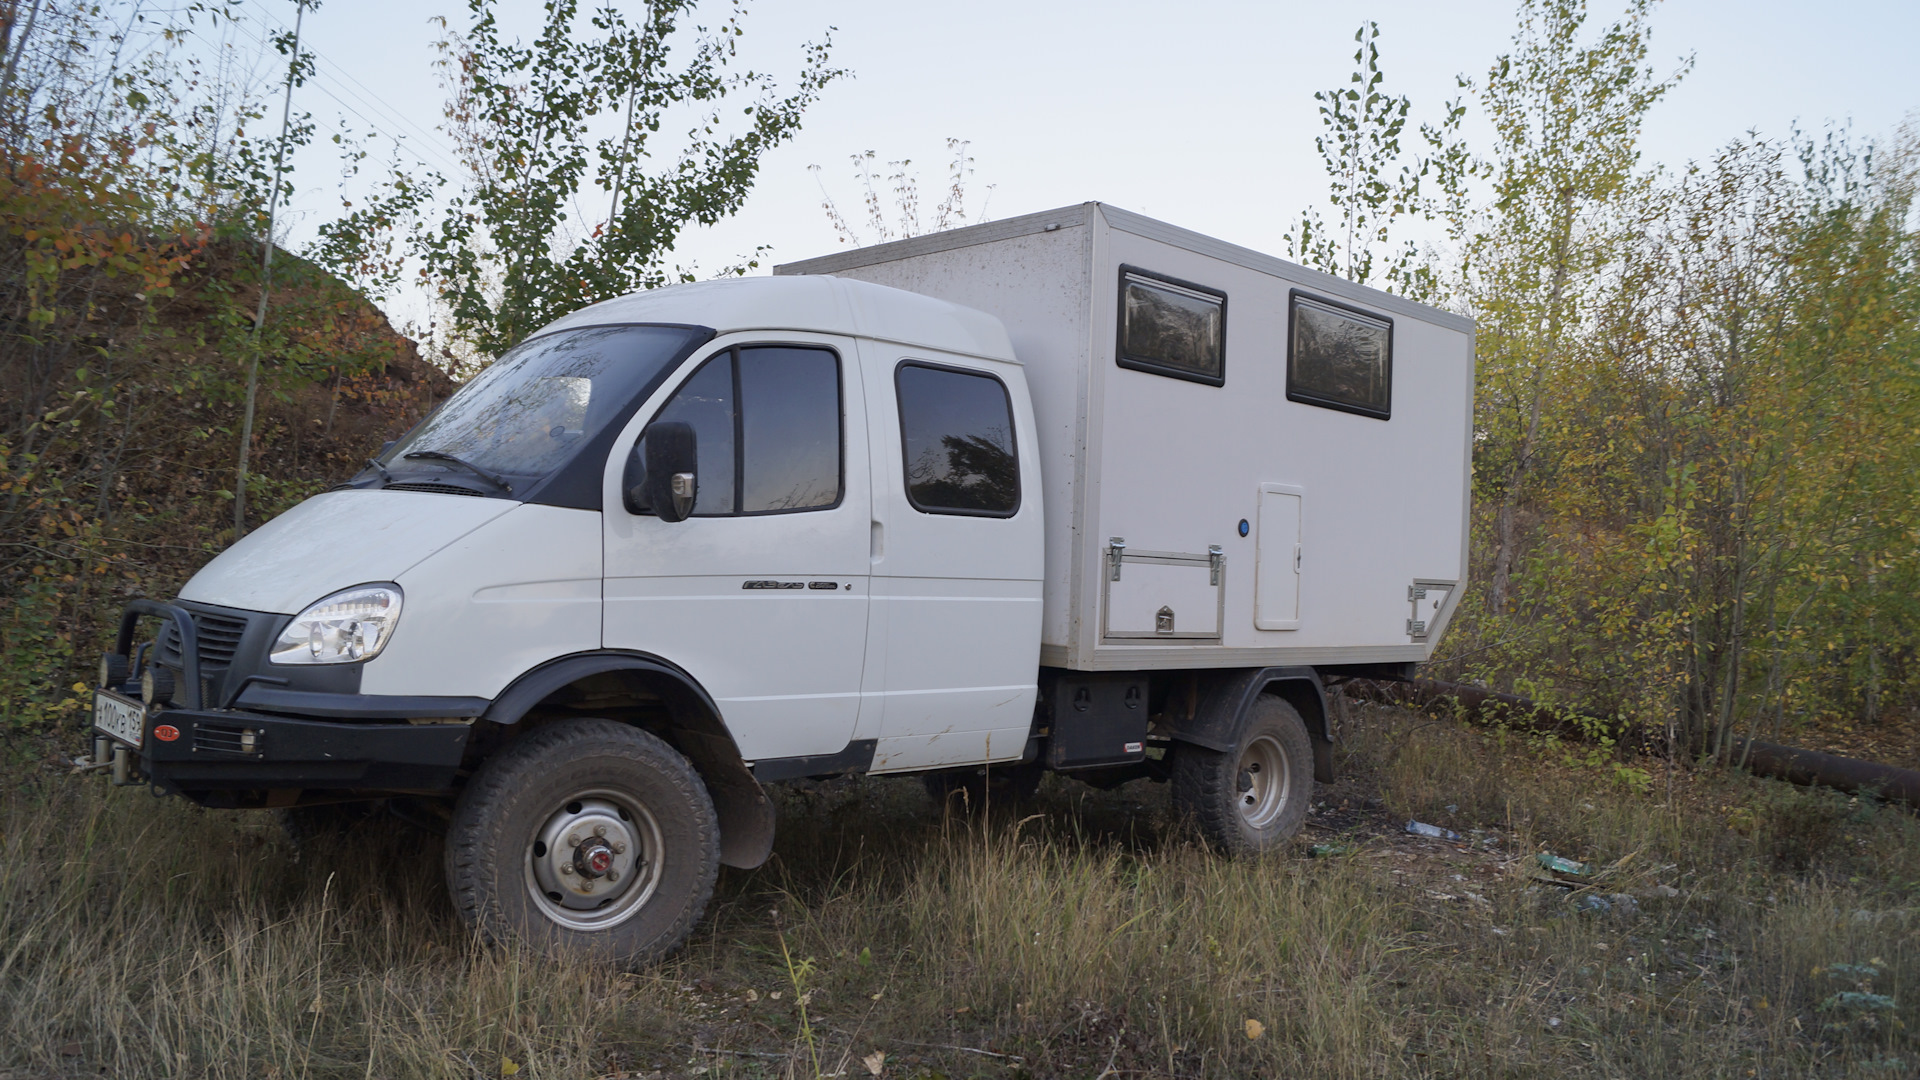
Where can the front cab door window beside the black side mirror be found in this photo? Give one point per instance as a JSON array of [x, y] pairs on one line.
[[767, 422]]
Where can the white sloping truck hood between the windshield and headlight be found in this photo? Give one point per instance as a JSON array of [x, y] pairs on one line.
[[333, 543]]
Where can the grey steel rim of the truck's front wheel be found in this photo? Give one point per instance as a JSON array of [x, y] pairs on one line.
[[577, 891]]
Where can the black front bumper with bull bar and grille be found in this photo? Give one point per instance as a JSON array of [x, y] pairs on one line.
[[245, 737]]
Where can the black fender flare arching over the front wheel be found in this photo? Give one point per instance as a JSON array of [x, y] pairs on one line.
[[700, 733]]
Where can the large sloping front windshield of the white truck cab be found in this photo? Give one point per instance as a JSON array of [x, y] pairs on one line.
[[525, 416]]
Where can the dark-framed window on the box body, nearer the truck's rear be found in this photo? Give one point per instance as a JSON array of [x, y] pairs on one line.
[[1339, 356]]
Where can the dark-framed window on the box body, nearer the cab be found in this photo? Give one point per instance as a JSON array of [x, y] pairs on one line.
[[1172, 328]]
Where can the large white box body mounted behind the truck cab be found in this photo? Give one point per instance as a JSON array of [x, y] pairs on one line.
[[1356, 528]]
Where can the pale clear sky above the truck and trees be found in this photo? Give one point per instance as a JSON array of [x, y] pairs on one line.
[[1201, 114]]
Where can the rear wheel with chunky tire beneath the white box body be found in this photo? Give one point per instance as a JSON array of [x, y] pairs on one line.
[[1209, 785]]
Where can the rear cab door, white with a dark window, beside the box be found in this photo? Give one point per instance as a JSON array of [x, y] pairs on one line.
[[953, 654]]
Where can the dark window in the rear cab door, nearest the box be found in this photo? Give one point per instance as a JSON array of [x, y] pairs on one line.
[[957, 437]]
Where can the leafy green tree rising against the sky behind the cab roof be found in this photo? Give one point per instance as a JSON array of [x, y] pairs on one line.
[[521, 245]]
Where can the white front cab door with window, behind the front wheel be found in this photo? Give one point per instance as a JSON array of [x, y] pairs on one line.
[[761, 595]]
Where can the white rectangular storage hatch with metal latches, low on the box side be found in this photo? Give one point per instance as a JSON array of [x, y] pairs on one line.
[[1163, 595]]
